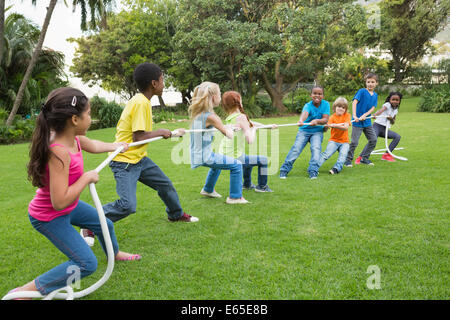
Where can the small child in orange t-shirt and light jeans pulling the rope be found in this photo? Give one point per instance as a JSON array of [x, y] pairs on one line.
[[339, 123]]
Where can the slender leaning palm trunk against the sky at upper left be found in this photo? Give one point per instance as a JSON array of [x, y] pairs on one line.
[[32, 63]]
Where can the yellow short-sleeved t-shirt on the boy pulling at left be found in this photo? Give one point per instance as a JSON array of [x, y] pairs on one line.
[[137, 116]]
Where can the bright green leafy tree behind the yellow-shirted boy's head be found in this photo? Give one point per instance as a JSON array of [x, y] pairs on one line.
[[109, 57]]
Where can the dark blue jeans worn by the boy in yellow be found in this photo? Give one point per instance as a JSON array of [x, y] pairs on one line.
[[146, 171]]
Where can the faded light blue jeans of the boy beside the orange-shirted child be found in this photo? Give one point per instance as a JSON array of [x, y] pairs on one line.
[[302, 138]]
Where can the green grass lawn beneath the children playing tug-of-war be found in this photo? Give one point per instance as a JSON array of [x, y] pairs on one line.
[[307, 240]]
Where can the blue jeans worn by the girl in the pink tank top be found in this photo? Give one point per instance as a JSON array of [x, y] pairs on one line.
[[61, 233]]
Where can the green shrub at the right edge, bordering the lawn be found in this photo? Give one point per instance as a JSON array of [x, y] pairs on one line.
[[436, 99]]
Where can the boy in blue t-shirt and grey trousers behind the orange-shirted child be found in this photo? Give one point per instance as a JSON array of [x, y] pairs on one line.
[[364, 103]]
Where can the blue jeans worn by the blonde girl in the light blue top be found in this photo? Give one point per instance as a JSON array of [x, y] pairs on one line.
[[219, 162]]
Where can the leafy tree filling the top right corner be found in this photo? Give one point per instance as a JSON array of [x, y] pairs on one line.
[[406, 29]]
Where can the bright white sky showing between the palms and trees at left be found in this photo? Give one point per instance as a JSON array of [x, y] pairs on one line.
[[64, 24]]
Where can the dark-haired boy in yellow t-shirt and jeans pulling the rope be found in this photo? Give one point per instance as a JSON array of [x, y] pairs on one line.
[[129, 167]]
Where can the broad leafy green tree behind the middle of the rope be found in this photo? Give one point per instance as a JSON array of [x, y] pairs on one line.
[[248, 44]]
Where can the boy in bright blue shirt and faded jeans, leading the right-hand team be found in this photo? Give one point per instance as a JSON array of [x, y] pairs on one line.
[[316, 113]]
